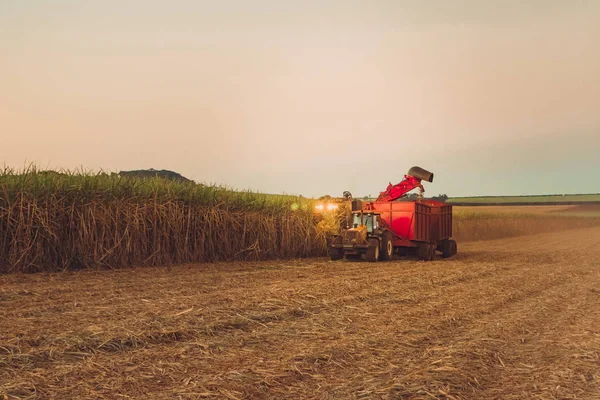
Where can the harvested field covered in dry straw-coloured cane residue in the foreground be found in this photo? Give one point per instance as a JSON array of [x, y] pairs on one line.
[[506, 319]]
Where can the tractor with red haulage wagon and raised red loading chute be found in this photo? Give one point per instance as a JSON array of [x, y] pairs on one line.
[[386, 226]]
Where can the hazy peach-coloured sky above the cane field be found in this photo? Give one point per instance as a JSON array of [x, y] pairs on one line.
[[308, 97]]
